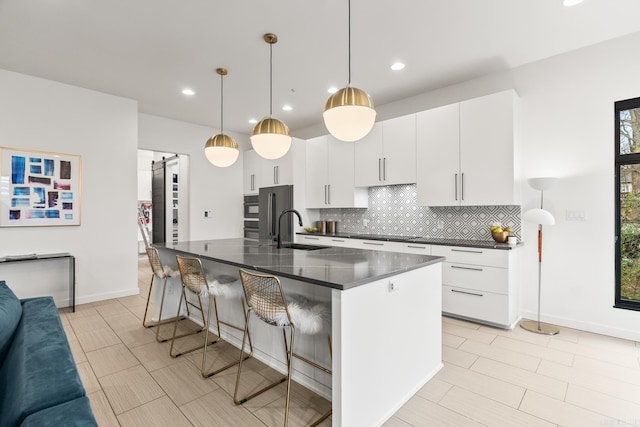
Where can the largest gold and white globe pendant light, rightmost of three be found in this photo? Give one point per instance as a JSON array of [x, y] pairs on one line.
[[349, 114]]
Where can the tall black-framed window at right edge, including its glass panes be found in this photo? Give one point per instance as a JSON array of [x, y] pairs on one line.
[[627, 136]]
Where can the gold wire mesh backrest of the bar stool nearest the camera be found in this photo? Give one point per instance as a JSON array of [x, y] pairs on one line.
[[264, 295]]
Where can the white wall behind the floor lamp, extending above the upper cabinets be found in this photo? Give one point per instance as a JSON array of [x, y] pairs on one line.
[[566, 129]]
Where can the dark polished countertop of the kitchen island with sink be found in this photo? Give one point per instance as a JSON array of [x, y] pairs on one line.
[[338, 268]]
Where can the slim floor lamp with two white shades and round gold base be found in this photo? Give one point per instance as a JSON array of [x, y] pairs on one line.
[[540, 217]]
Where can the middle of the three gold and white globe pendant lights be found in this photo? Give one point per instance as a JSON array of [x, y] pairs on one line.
[[271, 138]]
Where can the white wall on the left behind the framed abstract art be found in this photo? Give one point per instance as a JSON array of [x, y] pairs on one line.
[[44, 115]]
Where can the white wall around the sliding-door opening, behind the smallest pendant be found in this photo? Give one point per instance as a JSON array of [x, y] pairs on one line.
[[210, 188]]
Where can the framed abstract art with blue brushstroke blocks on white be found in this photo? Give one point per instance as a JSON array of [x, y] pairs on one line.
[[39, 188]]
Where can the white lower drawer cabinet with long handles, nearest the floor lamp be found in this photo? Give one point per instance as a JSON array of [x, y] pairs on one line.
[[479, 284]]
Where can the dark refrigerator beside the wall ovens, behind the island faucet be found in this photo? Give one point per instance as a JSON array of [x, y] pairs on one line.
[[272, 201]]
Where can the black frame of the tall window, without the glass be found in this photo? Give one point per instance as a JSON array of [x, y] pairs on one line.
[[621, 160]]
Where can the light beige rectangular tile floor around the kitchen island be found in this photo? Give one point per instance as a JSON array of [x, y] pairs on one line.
[[491, 377]]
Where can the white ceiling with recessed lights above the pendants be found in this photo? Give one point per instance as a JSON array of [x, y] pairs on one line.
[[149, 50]]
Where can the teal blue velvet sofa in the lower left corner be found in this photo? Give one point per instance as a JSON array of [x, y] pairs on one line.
[[39, 381]]
